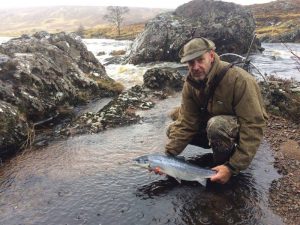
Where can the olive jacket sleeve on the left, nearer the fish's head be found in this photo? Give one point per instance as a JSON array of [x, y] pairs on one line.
[[187, 124]]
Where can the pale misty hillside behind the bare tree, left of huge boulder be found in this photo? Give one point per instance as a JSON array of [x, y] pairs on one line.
[[14, 22]]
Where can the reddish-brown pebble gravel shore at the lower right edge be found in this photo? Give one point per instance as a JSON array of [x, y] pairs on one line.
[[284, 138]]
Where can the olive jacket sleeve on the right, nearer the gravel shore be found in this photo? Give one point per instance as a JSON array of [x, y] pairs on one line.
[[249, 109]]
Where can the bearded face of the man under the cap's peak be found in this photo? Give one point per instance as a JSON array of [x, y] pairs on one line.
[[200, 67]]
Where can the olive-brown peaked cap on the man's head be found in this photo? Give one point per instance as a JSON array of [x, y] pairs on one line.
[[195, 48]]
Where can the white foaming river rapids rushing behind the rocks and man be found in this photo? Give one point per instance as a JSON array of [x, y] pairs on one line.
[[275, 60]]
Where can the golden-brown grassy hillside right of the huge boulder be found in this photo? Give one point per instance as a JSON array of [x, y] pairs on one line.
[[278, 20]]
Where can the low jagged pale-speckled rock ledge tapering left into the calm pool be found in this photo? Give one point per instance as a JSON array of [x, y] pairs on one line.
[[119, 112]]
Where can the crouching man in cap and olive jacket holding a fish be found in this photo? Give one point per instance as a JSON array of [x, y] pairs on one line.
[[221, 108]]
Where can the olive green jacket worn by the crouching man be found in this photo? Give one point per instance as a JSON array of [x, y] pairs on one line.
[[237, 94]]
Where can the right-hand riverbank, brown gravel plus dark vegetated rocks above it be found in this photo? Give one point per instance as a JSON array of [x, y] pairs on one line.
[[282, 99]]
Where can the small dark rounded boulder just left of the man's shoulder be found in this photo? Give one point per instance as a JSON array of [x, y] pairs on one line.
[[163, 79]]
